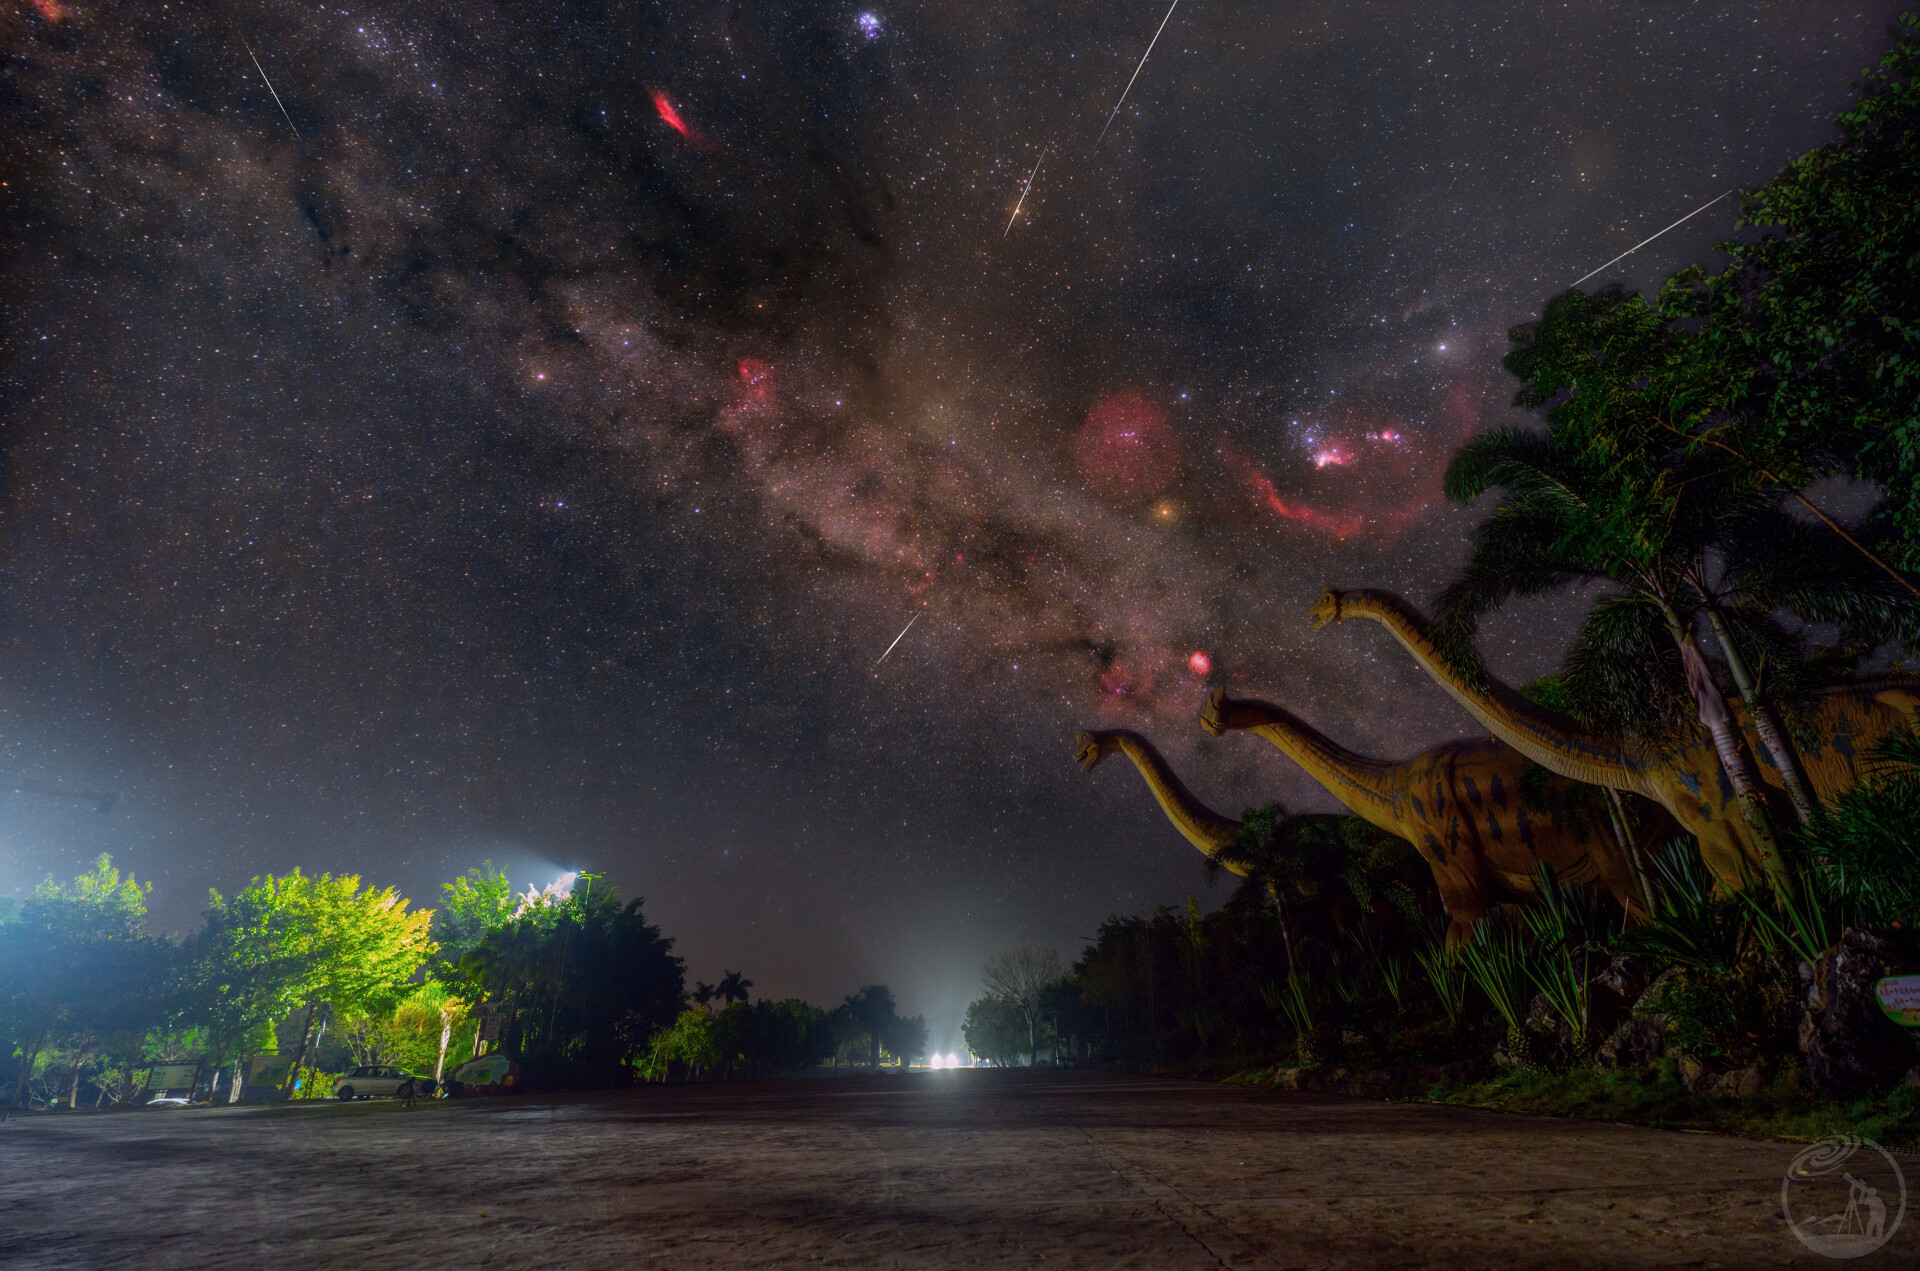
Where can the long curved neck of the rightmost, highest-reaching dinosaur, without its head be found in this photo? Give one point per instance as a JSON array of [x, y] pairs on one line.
[[1550, 740]]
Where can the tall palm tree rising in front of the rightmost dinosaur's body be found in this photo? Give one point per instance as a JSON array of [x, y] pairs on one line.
[[1610, 494]]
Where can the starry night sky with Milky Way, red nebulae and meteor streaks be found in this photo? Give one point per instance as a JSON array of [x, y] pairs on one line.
[[523, 437]]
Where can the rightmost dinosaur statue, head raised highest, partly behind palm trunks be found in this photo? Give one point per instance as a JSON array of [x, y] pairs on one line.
[[1685, 777]]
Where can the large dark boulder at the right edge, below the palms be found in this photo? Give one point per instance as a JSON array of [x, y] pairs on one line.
[[1850, 1043]]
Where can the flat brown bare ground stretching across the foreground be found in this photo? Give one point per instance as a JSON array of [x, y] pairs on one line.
[[928, 1170]]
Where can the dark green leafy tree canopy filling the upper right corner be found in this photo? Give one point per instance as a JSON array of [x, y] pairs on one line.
[[1813, 331]]
